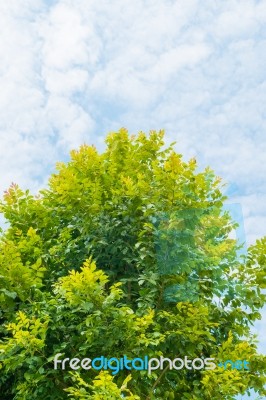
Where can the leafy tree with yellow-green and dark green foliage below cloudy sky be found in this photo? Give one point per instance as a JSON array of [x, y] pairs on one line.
[[127, 252]]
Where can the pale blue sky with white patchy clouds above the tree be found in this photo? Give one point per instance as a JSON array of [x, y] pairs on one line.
[[73, 70]]
